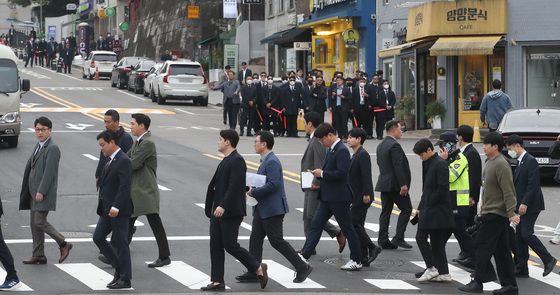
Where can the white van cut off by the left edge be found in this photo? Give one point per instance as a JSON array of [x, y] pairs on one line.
[[11, 87]]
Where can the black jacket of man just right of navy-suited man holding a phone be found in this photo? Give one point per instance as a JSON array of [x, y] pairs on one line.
[[361, 180]]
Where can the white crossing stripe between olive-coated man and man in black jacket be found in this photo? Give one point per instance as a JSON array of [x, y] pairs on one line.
[[185, 274]]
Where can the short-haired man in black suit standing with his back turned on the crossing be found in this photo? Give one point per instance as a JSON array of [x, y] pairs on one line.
[[394, 184]]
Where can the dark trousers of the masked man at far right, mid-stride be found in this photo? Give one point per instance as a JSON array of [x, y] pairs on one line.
[[525, 238]]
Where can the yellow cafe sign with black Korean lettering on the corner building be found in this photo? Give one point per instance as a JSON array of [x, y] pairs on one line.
[[457, 18]]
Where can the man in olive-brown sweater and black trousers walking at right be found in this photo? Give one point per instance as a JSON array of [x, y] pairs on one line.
[[497, 212]]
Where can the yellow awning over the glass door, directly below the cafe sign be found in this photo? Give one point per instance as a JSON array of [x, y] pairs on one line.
[[454, 46]]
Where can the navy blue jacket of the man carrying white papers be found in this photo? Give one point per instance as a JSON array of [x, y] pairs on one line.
[[271, 196]]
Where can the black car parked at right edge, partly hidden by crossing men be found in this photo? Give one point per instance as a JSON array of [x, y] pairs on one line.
[[539, 128]]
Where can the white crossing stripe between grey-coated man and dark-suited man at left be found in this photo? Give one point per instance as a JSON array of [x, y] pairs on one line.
[[88, 274]]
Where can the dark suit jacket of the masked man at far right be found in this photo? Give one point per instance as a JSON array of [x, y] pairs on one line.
[[527, 184]]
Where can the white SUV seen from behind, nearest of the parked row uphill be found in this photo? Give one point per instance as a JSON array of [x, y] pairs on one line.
[[182, 80]]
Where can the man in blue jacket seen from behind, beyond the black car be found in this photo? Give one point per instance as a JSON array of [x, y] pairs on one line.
[[494, 106]]
